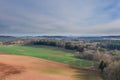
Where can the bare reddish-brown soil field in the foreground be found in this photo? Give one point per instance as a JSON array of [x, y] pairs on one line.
[[14, 67]]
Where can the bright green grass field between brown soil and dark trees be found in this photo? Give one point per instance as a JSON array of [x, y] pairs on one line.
[[47, 53]]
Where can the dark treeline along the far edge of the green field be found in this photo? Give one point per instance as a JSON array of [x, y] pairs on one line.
[[60, 44]]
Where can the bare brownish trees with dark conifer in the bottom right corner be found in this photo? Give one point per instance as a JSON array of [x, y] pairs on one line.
[[110, 66]]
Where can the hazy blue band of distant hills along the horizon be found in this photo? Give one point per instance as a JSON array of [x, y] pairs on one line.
[[8, 38]]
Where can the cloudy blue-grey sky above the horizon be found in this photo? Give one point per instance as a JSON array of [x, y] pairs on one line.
[[60, 17]]
